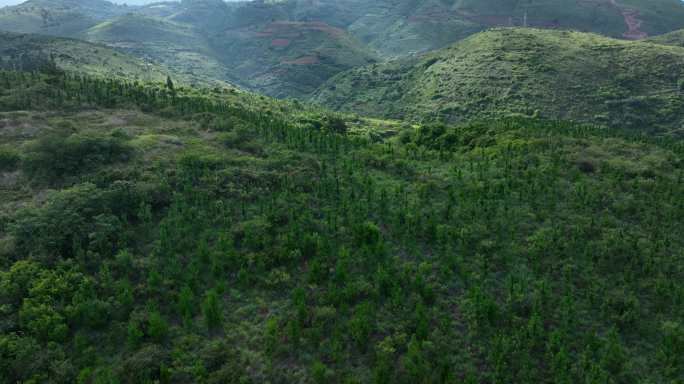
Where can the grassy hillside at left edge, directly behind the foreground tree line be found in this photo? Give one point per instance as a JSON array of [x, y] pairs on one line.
[[31, 52]]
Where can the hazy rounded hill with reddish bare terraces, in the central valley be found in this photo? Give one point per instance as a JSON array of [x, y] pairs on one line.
[[288, 59]]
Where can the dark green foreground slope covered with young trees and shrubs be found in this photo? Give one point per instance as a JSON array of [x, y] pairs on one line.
[[218, 237]]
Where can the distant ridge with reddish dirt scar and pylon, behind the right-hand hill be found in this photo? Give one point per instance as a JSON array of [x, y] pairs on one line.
[[398, 28]]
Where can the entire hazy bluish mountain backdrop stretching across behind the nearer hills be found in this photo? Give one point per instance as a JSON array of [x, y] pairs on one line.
[[288, 48]]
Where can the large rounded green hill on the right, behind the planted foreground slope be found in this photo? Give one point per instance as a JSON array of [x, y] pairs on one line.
[[503, 72]]
